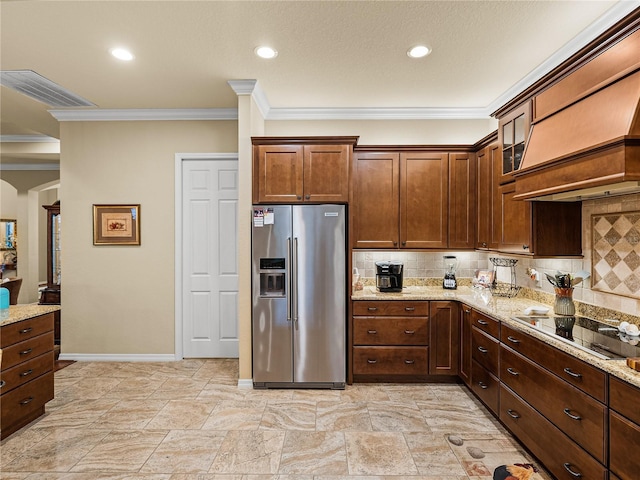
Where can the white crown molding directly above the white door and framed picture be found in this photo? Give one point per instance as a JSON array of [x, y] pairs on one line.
[[142, 114]]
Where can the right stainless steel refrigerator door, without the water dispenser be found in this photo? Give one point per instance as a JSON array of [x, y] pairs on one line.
[[320, 280]]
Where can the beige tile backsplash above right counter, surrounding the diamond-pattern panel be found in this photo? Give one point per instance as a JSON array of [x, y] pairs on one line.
[[430, 264]]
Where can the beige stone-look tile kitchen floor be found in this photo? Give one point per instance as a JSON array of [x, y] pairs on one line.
[[189, 420]]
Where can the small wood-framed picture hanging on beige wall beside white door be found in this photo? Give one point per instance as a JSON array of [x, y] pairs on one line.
[[116, 224]]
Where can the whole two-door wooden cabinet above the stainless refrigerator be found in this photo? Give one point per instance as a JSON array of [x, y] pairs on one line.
[[307, 169]]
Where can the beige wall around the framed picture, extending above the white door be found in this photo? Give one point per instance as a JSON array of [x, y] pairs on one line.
[[120, 299]]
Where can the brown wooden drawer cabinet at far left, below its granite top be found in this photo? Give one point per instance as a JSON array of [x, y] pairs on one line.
[[26, 378]]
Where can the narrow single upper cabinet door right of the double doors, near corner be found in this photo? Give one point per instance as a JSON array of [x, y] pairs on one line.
[[462, 200]]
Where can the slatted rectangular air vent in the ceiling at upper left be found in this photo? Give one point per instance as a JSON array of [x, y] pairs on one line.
[[39, 88]]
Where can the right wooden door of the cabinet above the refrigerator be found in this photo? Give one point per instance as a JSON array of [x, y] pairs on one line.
[[326, 173]]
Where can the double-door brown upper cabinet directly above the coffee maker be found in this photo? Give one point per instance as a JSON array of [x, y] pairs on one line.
[[400, 199]]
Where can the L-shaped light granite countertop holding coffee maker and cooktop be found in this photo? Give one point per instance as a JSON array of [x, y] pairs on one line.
[[502, 309]]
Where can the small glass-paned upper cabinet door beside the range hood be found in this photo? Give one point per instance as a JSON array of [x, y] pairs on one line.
[[513, 133]]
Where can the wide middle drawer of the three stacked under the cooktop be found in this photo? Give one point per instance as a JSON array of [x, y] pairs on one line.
[[574, 412]]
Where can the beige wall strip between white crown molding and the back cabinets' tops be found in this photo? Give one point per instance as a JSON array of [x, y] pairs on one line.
[[390, 132]]
